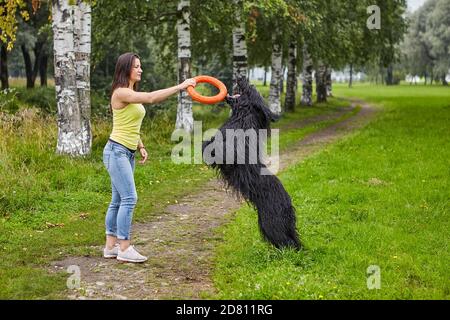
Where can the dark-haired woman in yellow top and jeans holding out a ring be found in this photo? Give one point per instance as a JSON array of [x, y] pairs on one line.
[[119, 152]]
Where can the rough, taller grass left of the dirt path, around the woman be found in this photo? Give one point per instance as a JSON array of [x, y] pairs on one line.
[[53, 206]]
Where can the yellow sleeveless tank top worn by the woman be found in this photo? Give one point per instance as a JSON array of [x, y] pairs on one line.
[[127, 125]]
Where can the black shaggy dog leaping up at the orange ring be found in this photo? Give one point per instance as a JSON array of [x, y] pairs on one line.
[[276, 215]]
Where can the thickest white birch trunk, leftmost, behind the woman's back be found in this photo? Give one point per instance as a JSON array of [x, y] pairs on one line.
[[74, 136]]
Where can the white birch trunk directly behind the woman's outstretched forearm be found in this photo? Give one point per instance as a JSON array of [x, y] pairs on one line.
[[185, 118]]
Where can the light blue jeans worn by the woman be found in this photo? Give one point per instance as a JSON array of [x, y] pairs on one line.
[[119, 161]]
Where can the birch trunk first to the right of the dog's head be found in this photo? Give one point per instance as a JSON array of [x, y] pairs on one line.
[[274, 92]]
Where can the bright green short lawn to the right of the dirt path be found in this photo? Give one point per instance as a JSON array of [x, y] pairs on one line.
[[378, 198]]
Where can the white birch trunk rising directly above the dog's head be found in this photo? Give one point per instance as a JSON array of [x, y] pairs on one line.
[[239, 45]]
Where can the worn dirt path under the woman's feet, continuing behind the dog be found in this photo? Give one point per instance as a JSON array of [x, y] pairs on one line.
[[180, 241]]
